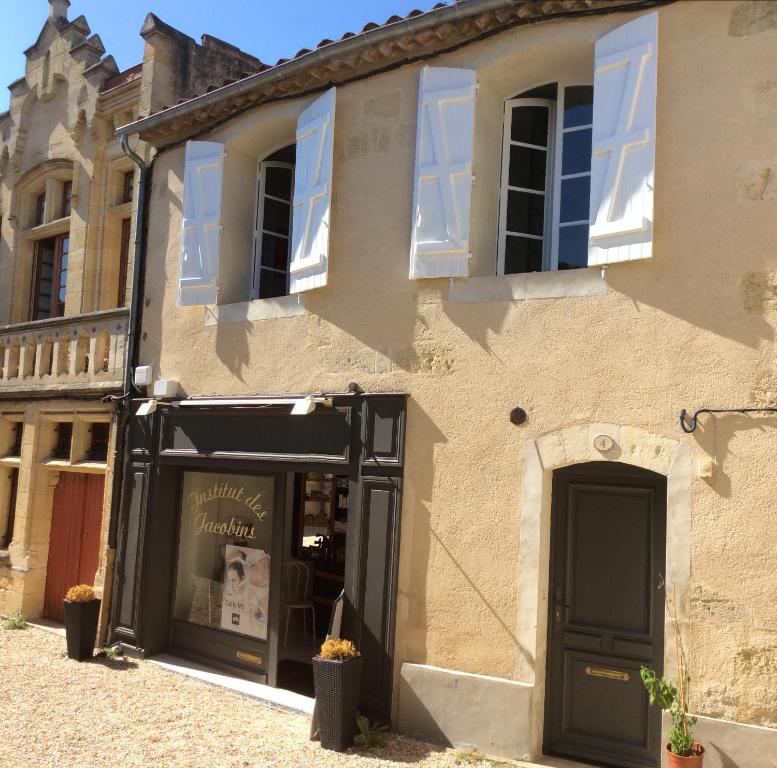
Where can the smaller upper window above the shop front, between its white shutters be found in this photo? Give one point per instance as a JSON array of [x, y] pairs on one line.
[[272, 225]]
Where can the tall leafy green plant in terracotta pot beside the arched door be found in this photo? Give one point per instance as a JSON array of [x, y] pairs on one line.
[[682, 751]]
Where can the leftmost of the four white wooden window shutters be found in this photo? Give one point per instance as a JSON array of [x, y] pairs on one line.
[[201, 235]]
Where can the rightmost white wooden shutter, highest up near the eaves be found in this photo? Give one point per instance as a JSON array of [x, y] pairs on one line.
[[624, 143]]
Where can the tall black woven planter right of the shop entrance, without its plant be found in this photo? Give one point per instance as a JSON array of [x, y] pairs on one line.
[[337, 685]]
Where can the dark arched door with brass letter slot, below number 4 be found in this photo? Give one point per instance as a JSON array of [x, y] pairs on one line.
[[608, 540]]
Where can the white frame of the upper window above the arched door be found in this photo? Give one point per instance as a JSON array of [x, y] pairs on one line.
[[553, 177]]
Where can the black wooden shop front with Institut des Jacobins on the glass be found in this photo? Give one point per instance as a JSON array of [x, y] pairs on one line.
[[243, 521]]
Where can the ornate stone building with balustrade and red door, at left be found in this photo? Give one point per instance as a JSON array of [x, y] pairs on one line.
[[68, 213]]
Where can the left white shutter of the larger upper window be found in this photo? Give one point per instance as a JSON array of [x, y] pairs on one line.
[[443, 173]]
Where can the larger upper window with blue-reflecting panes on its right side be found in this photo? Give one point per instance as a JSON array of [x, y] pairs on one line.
[[546, 179]]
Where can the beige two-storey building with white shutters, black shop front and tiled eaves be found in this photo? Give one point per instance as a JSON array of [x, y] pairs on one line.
[[545, 347]]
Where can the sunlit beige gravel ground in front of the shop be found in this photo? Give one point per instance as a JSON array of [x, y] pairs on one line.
[[125, 714]]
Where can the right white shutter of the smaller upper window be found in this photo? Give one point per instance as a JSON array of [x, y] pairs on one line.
[[312, 195]]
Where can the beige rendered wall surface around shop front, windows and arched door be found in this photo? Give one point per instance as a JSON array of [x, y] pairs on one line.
[[692, 326]]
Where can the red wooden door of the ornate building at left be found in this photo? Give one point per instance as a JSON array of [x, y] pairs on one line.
[[74, 544]]
